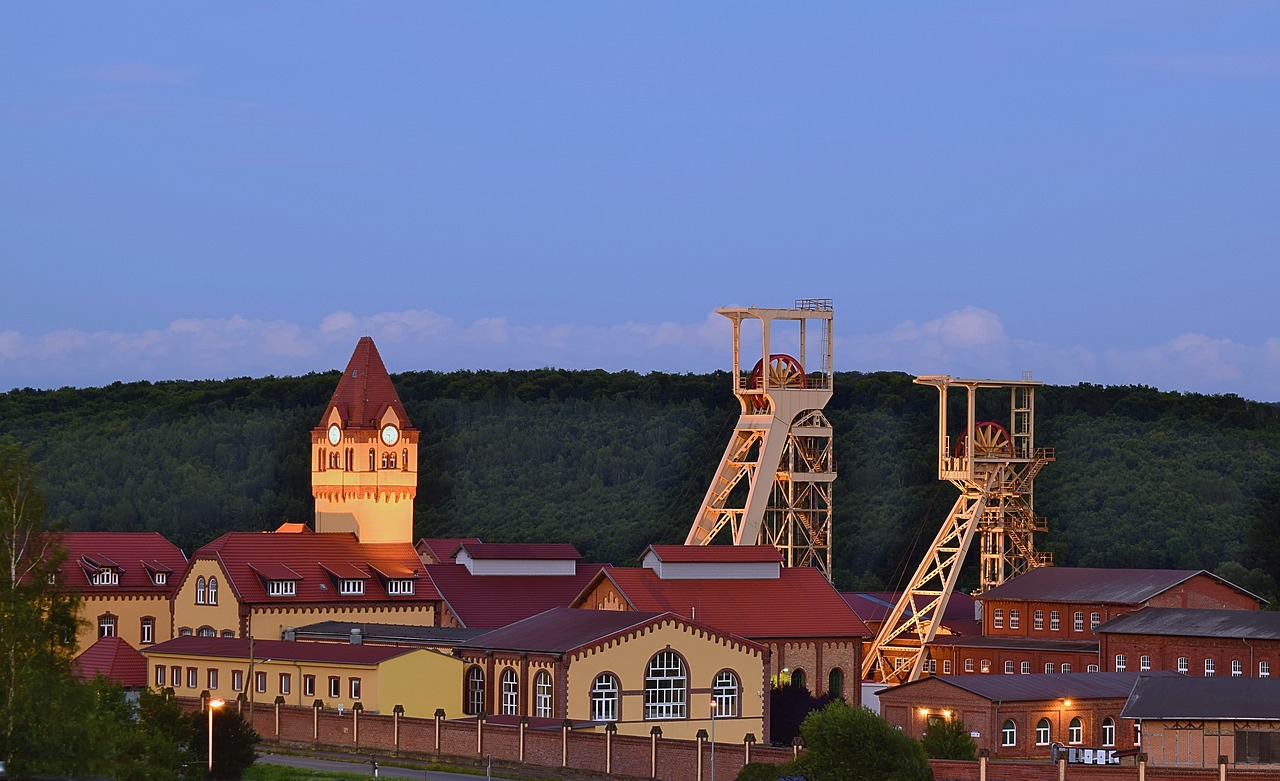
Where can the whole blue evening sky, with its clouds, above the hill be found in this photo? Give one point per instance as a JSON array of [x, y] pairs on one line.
[[1087, 191]]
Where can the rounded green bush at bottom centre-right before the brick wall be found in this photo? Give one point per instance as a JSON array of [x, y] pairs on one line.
[[854, 745]]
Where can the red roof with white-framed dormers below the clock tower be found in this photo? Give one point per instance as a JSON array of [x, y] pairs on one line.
[[313, 561]]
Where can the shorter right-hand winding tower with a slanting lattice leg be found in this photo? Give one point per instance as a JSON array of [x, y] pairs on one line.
[[995, 468]]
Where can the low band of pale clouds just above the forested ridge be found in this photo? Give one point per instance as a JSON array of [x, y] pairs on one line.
[[970, 342]]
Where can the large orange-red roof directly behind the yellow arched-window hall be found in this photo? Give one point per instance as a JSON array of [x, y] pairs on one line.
[[799, 604]]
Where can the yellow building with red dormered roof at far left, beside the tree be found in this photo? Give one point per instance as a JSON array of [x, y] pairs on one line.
[[125, 581]]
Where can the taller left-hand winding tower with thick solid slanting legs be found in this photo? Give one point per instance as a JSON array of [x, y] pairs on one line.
[[774, 483]]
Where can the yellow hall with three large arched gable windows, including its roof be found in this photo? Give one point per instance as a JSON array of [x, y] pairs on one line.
[[633, 670]]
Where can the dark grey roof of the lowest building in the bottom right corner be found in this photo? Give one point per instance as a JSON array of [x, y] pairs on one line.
[[1227, 698]]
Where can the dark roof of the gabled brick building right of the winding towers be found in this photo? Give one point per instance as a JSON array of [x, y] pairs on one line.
[[1098, 586]]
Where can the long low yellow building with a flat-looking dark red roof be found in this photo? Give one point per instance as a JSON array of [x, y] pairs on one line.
[[380, 678]]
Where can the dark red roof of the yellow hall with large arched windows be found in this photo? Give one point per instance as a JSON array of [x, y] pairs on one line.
[[566, 631]]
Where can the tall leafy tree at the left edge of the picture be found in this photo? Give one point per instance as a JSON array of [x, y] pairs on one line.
[[38, 623]]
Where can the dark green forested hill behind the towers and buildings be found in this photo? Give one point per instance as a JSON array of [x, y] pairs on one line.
[[614, 462]]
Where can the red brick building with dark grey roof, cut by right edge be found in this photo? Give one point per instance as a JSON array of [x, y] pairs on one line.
[[1196, 642]]
